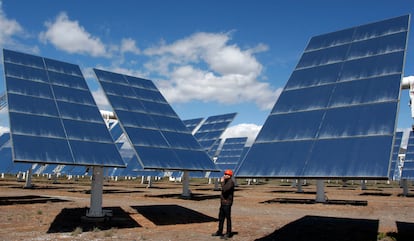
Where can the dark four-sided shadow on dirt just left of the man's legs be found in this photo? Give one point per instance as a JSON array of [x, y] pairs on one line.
[[172, 214]]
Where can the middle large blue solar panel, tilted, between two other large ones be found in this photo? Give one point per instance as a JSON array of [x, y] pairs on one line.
[[158, 136]]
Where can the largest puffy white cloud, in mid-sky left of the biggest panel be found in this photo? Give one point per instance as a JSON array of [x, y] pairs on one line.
[[206, 67]]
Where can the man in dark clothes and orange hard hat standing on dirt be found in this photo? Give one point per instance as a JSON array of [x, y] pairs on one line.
[[226, 201]]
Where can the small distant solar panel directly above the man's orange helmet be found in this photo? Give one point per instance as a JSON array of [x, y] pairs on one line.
[[230, 154]]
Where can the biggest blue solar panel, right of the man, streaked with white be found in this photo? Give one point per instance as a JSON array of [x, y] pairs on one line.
[[336, 115]]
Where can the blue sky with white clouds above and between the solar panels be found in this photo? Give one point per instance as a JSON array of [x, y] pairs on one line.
[[206, 57]]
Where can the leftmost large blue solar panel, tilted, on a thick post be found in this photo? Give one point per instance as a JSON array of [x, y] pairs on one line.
[[53, 116]]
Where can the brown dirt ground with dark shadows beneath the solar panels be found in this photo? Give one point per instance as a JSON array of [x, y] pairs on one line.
[[266, 210]]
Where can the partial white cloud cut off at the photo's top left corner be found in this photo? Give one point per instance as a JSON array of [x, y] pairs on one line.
[[8, 28]]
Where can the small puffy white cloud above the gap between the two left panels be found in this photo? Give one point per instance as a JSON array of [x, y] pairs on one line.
[[69, 36]]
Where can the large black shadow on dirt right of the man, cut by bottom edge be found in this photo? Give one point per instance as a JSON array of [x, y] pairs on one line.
[[316, 228]]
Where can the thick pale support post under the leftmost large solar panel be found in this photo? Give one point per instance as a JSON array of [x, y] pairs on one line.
[[95, 210]]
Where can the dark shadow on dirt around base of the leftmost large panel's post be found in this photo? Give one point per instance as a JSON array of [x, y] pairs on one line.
[[70, 219]]
